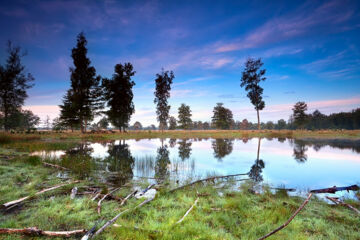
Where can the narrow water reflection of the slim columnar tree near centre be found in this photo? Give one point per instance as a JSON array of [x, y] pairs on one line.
[[162, 162]]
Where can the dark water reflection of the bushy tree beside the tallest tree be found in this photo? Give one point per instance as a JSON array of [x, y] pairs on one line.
[[121, 162]]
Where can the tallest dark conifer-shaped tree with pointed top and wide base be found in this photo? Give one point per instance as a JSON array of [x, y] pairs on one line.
[[83, 99]]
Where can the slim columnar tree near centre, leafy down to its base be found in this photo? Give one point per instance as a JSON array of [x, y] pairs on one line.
[[163, 83]]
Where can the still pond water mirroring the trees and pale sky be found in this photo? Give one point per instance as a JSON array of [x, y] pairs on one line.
[[300, 164]]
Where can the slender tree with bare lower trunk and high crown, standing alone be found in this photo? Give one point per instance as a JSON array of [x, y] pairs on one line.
[[251, 77]]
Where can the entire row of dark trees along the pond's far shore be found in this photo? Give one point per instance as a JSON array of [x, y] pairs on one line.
[[91, 95]]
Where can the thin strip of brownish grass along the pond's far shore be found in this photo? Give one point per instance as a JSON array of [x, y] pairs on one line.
[[142, 134]]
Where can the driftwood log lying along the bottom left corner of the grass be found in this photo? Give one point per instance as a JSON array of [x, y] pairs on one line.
[[34, 231]]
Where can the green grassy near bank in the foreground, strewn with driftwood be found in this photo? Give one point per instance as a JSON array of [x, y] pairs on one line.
[[221, 213]]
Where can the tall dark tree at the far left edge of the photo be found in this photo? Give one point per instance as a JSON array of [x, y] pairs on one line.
[[14, 81]]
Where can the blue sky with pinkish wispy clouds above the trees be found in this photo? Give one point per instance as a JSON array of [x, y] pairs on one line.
[[310, 50]]
